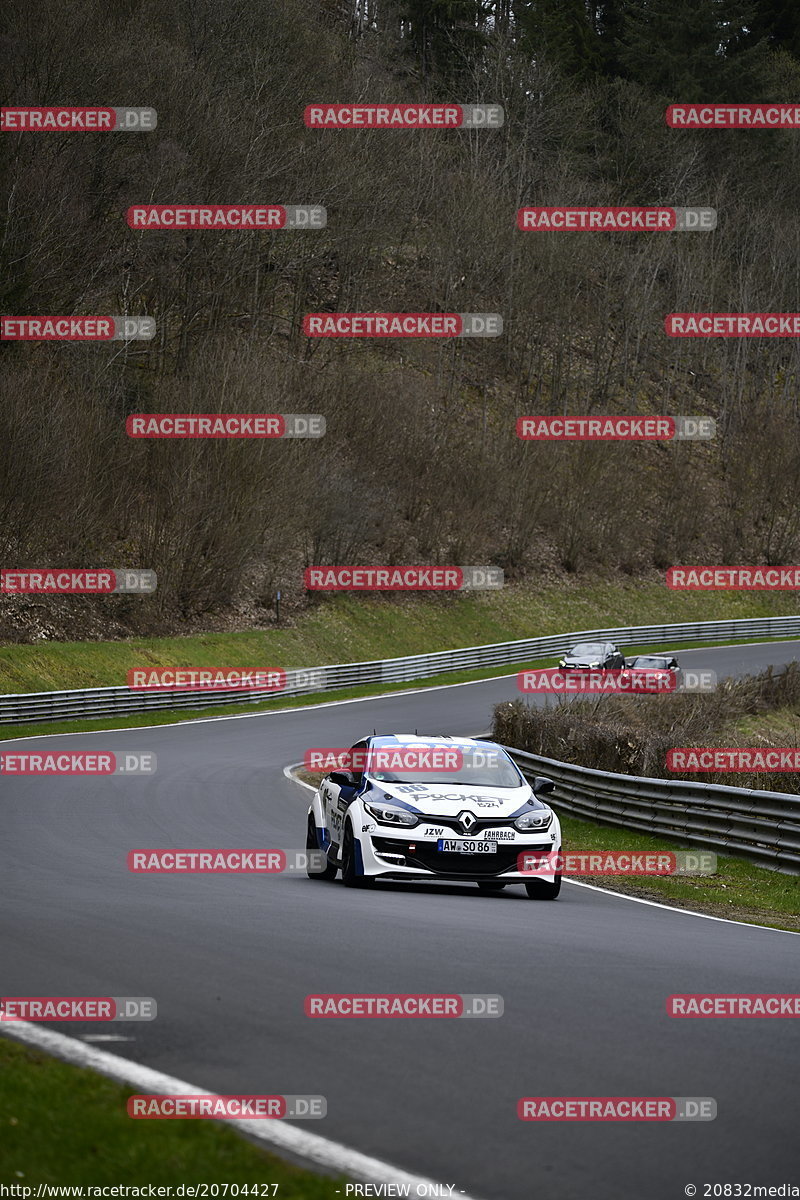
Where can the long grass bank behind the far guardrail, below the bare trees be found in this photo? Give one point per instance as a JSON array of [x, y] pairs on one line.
[[347, 629]]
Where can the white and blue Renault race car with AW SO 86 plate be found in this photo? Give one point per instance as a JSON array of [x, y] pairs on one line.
[[435, 808]]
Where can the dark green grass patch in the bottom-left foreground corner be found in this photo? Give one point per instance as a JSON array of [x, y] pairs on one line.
[[64, 1125]]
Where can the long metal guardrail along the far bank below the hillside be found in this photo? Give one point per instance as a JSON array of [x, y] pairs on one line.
[[93, 703]]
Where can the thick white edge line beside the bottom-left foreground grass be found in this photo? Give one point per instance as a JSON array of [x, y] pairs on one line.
[[276, 1136]]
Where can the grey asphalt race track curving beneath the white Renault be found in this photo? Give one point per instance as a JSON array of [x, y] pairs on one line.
[[230, 961]]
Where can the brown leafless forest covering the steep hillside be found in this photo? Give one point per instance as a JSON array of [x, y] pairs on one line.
[[422, 463]]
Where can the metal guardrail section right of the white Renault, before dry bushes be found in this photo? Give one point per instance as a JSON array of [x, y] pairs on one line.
[[739, 821]]
